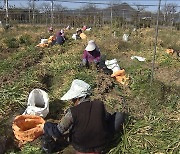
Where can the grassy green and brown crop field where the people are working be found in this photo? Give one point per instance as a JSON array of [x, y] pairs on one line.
[[154, 111]]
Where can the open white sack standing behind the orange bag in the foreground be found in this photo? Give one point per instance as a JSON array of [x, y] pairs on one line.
[[38, 103]]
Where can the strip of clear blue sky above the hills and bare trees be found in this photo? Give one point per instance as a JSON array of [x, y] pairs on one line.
[[23, 3]]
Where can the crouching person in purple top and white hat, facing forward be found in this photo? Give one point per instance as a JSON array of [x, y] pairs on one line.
[[91, 54]]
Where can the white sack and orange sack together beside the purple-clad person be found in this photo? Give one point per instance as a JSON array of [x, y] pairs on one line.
[[118, 74]]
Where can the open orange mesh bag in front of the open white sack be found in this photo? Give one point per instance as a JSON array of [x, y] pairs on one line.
[[27, 127]]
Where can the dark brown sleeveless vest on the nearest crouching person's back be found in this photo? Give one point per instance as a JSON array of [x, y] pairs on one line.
[[89, 130]]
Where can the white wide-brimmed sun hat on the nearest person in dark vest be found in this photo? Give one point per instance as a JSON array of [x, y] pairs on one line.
[[78, 89]]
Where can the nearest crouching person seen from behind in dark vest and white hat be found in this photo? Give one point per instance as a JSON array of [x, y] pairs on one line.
[[90, 125]]
